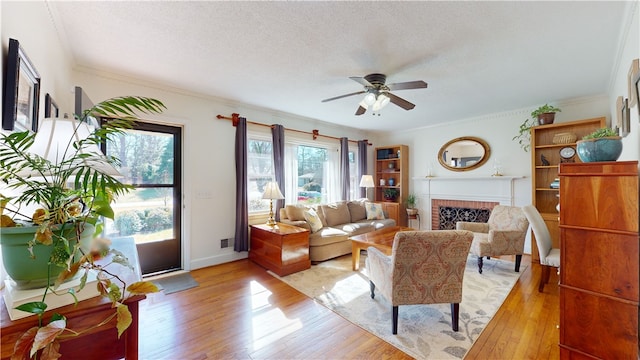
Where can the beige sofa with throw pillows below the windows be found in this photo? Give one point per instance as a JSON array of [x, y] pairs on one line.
[[339, 221]]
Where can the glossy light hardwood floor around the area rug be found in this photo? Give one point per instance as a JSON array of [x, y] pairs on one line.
[[239, 311]]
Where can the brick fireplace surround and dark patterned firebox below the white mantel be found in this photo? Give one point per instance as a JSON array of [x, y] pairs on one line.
[[445, 213]]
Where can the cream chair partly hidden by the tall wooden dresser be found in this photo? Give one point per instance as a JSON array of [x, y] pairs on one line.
[[549, 256]]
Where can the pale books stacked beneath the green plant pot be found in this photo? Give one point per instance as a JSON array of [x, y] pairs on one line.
[[14, 297]]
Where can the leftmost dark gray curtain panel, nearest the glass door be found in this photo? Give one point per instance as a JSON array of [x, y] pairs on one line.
[[242, 212]]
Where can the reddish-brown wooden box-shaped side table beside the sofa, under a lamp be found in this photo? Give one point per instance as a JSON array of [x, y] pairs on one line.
[[283, 248]]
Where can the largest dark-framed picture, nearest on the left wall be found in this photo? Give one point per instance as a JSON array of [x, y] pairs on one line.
[[22, 91]]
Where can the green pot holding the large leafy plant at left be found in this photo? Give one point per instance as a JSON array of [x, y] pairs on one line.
[[28, 272]]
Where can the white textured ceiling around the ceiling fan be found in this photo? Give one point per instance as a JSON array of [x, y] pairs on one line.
[[477, 57]]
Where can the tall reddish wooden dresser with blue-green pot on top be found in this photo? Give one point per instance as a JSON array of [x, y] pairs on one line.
[[599, 261]]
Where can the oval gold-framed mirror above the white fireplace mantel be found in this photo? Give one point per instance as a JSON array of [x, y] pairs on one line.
[[464, 153]]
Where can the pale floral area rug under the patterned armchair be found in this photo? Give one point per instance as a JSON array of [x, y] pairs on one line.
[[424, 331]]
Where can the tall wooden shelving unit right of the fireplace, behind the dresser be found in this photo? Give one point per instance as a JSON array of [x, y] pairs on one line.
[[545, 198]]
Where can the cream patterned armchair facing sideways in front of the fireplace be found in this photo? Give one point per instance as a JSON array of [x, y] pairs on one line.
[[503, 234]]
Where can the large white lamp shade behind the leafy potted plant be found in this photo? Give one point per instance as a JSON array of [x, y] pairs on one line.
[[54, 140]]
